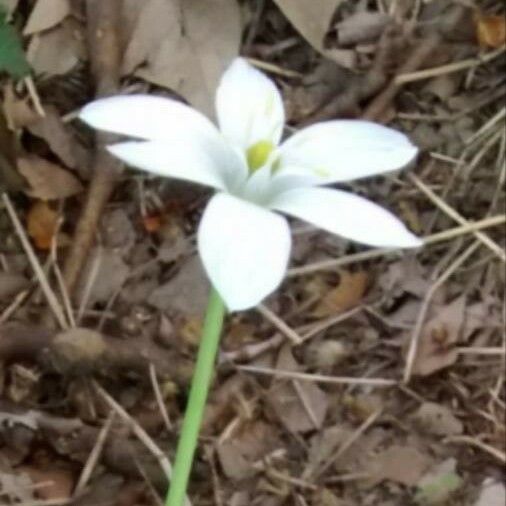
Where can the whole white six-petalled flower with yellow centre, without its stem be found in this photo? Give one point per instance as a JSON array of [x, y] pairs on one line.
[[244, 245]]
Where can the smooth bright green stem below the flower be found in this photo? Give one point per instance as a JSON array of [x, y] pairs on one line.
[[201, 382]]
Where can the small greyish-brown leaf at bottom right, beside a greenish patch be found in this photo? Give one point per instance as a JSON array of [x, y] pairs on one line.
[[400, 464]]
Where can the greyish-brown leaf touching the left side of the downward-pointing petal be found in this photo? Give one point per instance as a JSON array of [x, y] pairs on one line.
[[186, 292]]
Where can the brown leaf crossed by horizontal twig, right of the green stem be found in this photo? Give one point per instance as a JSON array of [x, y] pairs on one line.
[[302, 408]]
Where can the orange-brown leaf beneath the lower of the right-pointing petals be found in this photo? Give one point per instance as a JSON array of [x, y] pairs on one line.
[[346, 295]]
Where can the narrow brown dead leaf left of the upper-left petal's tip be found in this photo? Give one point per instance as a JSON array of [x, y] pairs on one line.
[[61, 140]]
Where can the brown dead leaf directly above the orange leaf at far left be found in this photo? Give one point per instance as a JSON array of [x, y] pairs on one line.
[[47, 180]]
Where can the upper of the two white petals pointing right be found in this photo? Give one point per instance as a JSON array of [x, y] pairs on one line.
[[343, 150]]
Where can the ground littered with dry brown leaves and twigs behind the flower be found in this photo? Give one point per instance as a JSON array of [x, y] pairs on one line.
[[370, 378]]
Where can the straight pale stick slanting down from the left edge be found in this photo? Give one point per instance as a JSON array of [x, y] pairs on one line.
[[34, 262]]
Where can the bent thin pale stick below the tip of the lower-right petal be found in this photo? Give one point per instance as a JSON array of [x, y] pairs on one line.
[[415, 337]]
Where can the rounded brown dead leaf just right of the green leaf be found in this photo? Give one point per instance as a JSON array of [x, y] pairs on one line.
[[58, 50]]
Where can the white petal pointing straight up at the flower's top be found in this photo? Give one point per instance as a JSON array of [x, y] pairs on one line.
[[249, 106]]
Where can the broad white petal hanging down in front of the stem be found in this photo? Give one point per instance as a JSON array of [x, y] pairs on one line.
[[244, 248]]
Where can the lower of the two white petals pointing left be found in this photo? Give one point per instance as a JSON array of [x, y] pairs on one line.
[[188, 162]]
